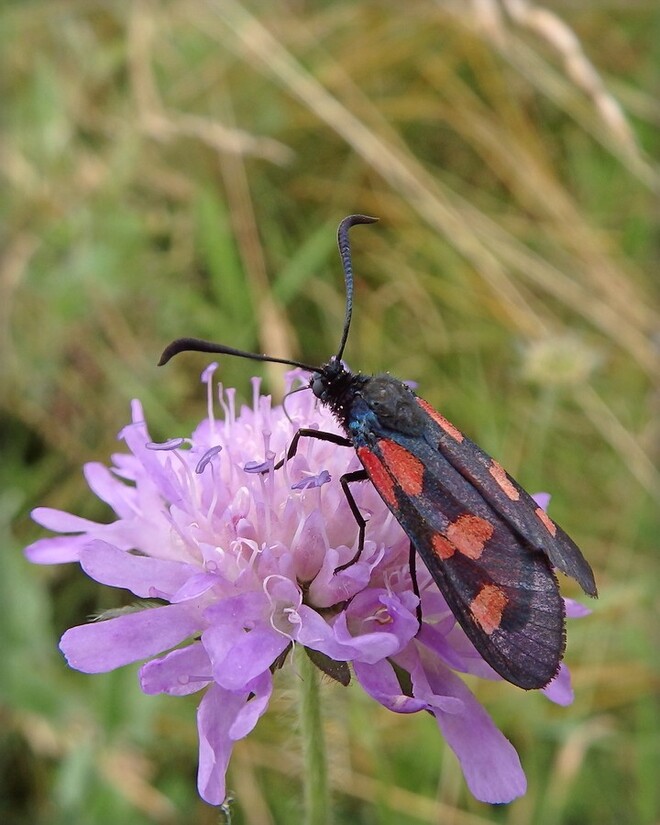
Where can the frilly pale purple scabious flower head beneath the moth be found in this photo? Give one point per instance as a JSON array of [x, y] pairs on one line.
[[246, 561]]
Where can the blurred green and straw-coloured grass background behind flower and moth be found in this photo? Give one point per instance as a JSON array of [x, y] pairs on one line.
[[180, 168]]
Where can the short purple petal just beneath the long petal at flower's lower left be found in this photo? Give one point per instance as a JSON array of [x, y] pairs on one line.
[[178, 673]]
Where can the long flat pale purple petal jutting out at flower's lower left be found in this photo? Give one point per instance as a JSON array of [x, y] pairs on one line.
[[103, 646]]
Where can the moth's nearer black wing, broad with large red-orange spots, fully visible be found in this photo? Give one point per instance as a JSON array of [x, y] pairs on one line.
[[502, 591]]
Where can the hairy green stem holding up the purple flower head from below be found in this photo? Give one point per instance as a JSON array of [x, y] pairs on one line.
[[315, 767]]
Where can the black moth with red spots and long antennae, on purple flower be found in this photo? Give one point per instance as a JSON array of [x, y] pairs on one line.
[[487, 544]]
